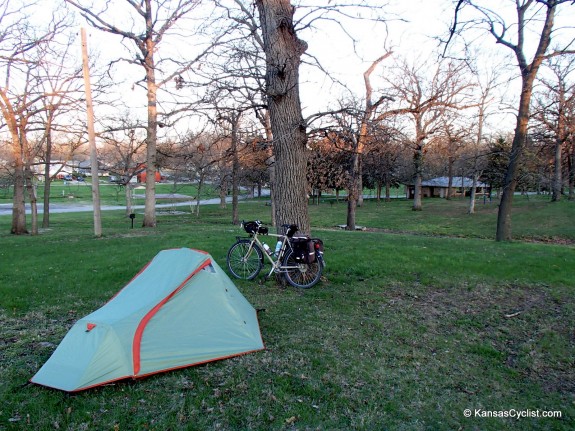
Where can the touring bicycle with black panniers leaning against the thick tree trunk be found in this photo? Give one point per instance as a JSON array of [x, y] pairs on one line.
[[298, 259]]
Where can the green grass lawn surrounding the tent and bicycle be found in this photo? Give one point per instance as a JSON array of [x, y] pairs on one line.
[[418, 318]]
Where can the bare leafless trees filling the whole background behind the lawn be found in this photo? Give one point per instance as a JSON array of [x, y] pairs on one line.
[[221, 86]]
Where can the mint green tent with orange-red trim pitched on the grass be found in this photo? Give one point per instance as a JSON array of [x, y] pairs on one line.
[[180, 310]]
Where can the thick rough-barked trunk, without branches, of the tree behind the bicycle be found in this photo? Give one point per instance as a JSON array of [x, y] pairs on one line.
[[283, 56]]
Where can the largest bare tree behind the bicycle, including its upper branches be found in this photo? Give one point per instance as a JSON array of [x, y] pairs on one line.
[[274, 31]]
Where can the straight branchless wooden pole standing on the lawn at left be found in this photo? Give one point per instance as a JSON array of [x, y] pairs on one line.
[[91, 139]]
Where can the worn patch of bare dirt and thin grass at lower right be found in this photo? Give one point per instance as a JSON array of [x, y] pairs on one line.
[[527, 327]]
